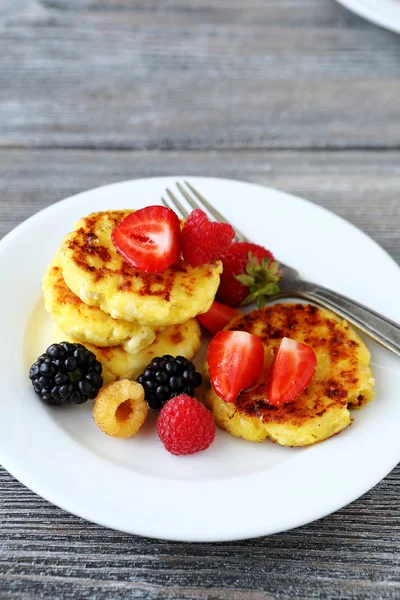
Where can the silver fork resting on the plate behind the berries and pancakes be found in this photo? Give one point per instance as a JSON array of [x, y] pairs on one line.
[[378, 327]]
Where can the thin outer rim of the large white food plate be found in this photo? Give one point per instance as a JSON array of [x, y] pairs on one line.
[[15, 471]]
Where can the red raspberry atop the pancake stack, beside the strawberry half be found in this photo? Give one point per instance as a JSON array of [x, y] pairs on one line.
[[204, 241]]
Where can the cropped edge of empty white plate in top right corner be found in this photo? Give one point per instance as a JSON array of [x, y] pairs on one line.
[[385, 13]]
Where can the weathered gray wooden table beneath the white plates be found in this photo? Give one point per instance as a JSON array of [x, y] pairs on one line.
[[295, 94]]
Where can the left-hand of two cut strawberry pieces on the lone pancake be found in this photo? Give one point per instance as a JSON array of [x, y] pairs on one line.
[[235, 361]]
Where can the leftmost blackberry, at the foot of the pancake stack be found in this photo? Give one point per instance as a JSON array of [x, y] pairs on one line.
[[66, 373]]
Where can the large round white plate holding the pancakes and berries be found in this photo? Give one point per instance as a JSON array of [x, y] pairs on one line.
[[235, 489]]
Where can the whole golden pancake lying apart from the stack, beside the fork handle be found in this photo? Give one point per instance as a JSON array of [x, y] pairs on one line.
[[343, 378]]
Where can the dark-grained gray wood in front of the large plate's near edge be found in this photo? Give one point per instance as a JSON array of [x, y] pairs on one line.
[[47, 553]]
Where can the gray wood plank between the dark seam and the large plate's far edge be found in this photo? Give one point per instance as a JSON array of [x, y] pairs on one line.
[[363, 187]]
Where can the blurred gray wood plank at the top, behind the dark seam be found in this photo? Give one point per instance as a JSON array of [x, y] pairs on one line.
[[197, 75]]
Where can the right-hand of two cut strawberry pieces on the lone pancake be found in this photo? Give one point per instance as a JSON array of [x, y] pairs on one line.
[[292, 370]]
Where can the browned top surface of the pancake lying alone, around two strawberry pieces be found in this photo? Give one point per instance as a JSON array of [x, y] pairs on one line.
[[338, 350]]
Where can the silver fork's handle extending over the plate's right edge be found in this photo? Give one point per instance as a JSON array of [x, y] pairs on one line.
[[381, 329]]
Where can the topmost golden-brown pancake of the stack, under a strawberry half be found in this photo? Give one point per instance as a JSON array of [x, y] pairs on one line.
[[100, 277]]
